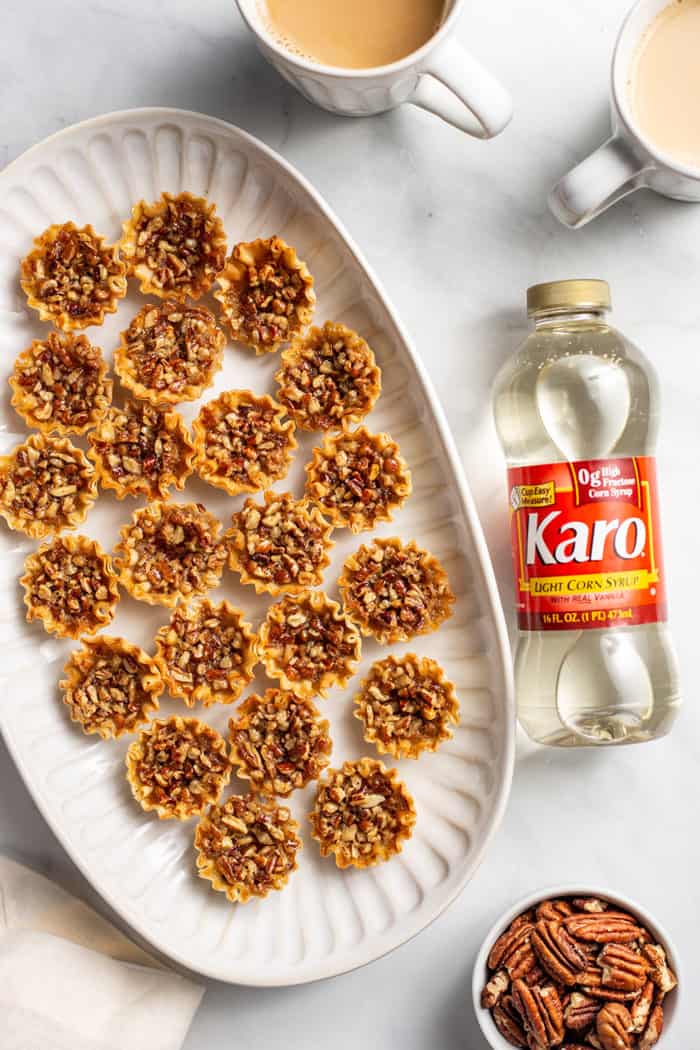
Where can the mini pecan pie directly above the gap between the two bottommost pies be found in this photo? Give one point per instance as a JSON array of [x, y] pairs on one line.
[[280, 742]]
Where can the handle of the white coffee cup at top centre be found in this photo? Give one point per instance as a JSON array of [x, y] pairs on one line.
[[479, 104]]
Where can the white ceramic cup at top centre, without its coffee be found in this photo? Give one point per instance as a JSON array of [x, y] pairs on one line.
[[478, 103]]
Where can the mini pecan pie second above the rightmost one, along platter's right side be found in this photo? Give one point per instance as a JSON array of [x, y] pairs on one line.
[[358, 478]]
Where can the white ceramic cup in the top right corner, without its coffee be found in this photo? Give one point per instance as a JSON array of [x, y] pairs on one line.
[[628, 161]]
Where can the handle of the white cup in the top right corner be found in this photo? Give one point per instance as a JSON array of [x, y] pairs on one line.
[[604, 178]]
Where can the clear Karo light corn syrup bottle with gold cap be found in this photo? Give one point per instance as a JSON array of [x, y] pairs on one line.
[[577, 410]]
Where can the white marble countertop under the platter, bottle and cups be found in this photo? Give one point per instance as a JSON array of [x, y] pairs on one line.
[[456, 229]]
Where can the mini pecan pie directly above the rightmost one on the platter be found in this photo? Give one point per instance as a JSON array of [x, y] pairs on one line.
[[395, 592]]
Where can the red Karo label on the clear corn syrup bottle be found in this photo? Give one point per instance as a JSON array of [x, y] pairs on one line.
[[587, 544]]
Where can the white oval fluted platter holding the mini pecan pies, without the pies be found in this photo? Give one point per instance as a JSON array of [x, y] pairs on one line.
[[326, 922]]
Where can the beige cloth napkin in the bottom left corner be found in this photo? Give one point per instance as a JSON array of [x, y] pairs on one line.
[[71, 981]]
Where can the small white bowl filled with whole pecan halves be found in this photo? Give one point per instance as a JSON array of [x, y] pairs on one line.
[[577, 970]]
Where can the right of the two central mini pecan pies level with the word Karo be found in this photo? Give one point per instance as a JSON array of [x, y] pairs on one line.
[[281, 545]]
